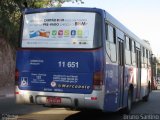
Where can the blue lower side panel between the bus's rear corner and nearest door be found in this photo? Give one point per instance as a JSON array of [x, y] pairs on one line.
[[111, 85]]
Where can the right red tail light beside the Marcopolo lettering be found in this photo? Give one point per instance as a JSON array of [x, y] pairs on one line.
[[98, 80]]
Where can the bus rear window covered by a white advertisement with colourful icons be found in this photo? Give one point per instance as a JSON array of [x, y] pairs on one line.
[[59, 30]]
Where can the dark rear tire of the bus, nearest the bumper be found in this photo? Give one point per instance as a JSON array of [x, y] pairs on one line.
[[127, 110]]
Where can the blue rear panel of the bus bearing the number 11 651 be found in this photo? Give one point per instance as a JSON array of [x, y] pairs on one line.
[[58, 71]]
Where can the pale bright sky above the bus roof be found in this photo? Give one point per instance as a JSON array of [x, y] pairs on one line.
[[142, 17]]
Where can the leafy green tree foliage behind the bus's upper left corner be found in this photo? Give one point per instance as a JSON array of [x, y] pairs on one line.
[[10, 12]]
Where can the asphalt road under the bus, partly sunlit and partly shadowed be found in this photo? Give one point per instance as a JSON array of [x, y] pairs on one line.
[[141, 110]]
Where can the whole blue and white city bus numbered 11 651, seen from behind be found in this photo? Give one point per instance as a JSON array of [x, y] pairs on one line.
[[80, 58]]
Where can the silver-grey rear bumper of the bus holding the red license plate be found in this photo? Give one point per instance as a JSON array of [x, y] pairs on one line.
[[94, 100]]
